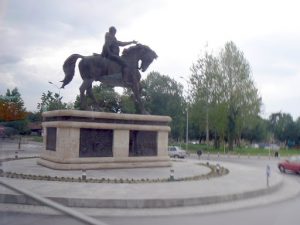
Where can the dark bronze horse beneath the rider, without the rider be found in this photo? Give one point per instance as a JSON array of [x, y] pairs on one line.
[[97, 68]]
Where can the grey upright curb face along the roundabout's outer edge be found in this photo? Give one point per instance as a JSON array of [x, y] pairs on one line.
[[144, 203]]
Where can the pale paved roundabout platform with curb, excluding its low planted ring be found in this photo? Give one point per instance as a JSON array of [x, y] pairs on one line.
[[242, 182]]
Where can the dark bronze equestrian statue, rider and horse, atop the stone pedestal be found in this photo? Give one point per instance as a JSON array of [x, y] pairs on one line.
[[111, 69]]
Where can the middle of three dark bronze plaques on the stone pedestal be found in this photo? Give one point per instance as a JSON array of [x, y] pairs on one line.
[[95, 143]]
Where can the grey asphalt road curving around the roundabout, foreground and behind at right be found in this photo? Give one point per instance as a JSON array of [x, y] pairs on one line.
[[286, 212]]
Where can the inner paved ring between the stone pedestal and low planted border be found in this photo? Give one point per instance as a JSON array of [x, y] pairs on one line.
[[182, 169]]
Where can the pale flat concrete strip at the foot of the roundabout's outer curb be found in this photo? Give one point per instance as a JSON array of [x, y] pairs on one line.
[[288, 191]]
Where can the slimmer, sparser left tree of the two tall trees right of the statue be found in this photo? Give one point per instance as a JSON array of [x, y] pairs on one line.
[[207, 96]]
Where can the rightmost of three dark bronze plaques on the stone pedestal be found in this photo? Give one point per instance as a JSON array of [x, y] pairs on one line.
[[143, 143]]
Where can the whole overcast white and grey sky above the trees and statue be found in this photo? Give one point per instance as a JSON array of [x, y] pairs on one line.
[[36, 36]]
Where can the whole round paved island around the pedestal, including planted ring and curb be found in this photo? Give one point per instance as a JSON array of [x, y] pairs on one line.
[[195, 183]]
